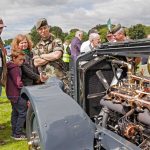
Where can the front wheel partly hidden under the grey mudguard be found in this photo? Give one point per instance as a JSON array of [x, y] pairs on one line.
[[32, 130]]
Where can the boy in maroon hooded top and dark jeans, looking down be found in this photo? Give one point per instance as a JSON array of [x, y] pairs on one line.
[[13, 88]]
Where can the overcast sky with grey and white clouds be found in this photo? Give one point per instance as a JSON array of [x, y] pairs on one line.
[[21, 15]]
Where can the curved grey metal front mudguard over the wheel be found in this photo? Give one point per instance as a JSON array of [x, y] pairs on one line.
[[62, 123]]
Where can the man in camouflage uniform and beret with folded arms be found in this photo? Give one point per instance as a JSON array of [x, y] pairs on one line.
[[48, 53]]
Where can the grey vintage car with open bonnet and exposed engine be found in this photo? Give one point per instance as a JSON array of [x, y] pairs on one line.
[[108, 107]]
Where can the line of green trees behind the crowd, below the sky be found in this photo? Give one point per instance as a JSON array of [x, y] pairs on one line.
[[138, 31]]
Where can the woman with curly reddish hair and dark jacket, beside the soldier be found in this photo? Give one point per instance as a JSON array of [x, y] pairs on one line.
[[30, 75]]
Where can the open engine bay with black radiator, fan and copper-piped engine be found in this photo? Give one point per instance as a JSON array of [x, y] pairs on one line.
[[115, 93]]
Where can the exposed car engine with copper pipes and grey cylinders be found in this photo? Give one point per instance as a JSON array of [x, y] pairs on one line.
[[126, 106]]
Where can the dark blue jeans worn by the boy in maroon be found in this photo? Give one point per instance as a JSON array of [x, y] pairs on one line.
[[18, 116]]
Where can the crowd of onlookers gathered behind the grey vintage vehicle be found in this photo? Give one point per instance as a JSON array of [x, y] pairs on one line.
[[49, 58]]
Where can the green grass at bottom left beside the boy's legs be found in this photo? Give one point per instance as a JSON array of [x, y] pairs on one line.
[[6, 143]]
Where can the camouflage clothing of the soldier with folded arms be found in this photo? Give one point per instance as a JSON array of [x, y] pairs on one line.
[[53, 68]]
